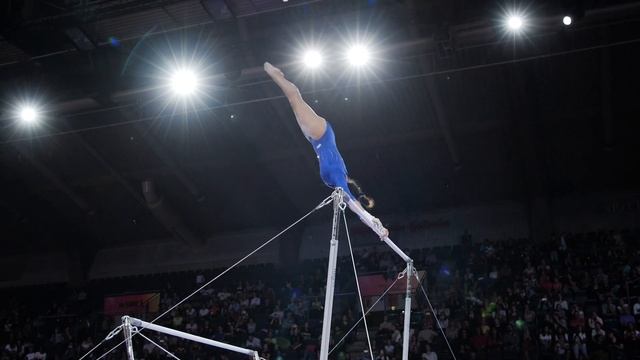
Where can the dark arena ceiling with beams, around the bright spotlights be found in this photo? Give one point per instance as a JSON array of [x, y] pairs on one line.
[[455, 111]]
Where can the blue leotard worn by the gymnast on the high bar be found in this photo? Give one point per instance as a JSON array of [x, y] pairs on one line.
[[333, 171]]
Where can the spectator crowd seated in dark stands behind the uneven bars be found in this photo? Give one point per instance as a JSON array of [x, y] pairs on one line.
[[575, 296]]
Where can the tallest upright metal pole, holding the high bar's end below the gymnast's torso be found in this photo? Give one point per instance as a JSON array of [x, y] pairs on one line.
[[338, 205]]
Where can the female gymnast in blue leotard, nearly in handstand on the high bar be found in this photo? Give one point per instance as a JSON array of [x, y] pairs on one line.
[[320, 134]]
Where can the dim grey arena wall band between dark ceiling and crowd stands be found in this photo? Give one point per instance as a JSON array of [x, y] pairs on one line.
[[503, 221]]
